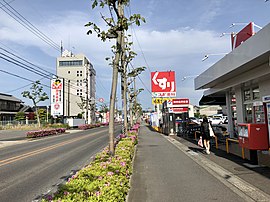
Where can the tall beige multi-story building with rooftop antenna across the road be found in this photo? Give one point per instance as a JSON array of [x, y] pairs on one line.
[[79, 85]]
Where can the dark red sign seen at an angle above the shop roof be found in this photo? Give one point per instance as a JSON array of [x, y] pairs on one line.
[[242, 36]]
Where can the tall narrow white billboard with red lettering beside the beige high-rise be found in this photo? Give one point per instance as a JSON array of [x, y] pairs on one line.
[[57, 97]]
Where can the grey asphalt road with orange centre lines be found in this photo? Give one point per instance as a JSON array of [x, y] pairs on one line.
[[33, 168]]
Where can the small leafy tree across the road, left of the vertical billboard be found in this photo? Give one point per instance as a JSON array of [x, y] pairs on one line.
[[36, 95]]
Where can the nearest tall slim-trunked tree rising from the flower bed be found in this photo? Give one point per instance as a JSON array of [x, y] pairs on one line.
[[117, 24]]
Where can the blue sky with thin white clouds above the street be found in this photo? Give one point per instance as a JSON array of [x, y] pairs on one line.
[[176, 37]]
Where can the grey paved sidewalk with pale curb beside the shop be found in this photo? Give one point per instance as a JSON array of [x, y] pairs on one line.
[[175, 169]]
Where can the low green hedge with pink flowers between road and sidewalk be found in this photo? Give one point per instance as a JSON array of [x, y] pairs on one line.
[[105, 179]]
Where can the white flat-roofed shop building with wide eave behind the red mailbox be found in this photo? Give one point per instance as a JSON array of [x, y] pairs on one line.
[[241, 80]]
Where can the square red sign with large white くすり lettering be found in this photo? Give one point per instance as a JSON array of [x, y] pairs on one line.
[[163, 82]]
